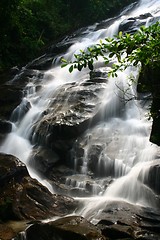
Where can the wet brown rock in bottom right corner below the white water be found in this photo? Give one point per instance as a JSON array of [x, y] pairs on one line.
[[120, 220]]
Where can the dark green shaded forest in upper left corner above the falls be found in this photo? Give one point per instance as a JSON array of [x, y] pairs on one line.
[[29, 26]]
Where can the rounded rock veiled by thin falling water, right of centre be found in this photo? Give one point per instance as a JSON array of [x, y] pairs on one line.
[[97, 151]]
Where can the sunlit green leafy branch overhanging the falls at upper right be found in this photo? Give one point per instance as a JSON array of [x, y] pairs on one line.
[[142, 47]]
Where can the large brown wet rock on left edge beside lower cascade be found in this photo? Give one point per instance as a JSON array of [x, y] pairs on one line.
[[22, 197]]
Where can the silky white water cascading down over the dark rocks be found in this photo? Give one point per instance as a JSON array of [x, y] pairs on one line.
[[125, 140]]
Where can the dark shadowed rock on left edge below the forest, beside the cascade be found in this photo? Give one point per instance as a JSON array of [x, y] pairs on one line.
[[13, 90]]
